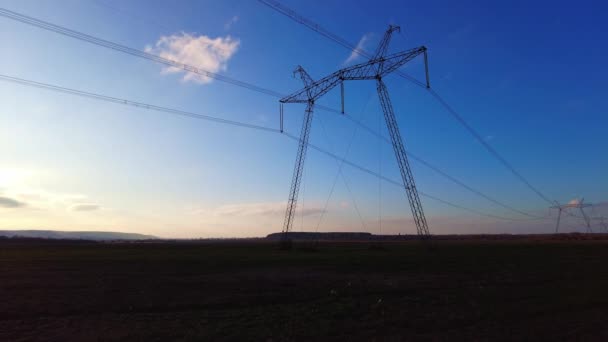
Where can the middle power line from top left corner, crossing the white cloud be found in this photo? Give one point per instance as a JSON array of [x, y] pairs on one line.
[[188, 68]]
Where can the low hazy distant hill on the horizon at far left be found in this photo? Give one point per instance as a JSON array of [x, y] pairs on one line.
[[55, 234]]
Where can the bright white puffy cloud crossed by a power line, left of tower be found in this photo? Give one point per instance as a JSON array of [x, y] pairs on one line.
[[199, 51]]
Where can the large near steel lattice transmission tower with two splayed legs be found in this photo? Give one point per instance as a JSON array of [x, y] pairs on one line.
[[375, 69]]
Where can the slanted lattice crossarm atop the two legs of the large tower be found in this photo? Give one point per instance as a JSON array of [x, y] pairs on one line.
[[373, 69]]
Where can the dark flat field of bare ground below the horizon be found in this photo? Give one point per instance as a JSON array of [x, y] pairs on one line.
[[451, 290]]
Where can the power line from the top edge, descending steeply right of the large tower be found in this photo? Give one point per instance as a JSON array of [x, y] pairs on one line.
[[277, 6]]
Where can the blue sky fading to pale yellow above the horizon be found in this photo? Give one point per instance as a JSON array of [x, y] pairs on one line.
[[529, 77]]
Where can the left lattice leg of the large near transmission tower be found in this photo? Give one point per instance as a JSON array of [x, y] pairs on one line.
[[297, 174]]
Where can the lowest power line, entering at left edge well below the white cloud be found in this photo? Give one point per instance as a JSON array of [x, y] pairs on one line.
[[147, 106]]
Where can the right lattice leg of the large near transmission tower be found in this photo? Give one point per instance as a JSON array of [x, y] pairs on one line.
[[406, 173]]
